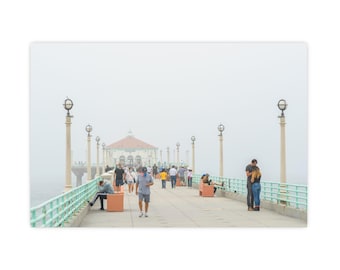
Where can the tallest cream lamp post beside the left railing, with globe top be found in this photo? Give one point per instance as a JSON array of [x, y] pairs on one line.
[[68, 104]]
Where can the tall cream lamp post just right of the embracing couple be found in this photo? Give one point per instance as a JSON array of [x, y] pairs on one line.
[[282, 105]]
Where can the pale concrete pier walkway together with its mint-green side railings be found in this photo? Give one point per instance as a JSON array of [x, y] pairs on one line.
[[181, 207]]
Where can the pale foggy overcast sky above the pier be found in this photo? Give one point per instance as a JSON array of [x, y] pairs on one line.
[[166, 93]]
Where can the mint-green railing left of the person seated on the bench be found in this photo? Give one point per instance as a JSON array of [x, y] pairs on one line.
[[57, 211]]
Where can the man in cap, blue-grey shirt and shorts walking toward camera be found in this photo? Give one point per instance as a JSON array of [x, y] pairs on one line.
[[143, 183]]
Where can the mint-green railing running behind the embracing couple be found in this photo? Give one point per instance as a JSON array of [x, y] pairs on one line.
[[292, 195]]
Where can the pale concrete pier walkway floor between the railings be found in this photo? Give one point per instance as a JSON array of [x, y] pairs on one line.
[[182, 207]]
